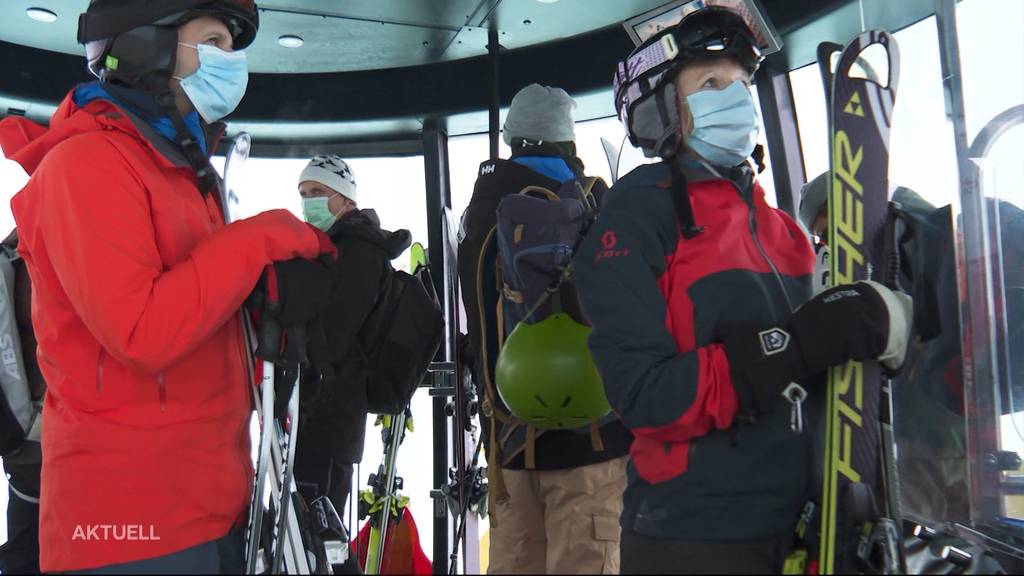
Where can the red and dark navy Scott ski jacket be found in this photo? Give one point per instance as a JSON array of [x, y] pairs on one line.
[[659, 304]]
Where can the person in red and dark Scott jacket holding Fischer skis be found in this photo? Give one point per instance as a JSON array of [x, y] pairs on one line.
[[697, 292]]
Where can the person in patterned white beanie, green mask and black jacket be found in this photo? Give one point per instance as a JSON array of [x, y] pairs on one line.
[[334, 413]]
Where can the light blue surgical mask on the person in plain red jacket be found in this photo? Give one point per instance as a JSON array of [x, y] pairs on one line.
[[217, 89]]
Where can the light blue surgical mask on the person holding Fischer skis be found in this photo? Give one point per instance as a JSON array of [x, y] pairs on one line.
[[726, 125]]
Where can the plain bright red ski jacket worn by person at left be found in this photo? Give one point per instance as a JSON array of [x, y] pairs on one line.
[[137, 290]]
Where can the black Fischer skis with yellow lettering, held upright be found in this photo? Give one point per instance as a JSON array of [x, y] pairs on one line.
[[862, 524]]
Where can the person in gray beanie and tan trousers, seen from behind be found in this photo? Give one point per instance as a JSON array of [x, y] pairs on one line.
[[556, 496]]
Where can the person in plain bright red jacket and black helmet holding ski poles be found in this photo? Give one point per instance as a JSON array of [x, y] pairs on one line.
[[138, 285]]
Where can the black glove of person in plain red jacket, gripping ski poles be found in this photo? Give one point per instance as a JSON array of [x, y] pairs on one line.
[[287, 306]]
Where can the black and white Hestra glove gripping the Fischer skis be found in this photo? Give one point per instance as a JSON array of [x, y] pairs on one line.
[[863, 321]]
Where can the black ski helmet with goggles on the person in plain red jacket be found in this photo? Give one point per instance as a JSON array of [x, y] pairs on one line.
[[135, 43]]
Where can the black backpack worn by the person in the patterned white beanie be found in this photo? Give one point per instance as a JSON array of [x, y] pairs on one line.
[[400, 339]]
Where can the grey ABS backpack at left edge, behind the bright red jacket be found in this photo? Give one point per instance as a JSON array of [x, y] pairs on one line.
[[21, 415]]
